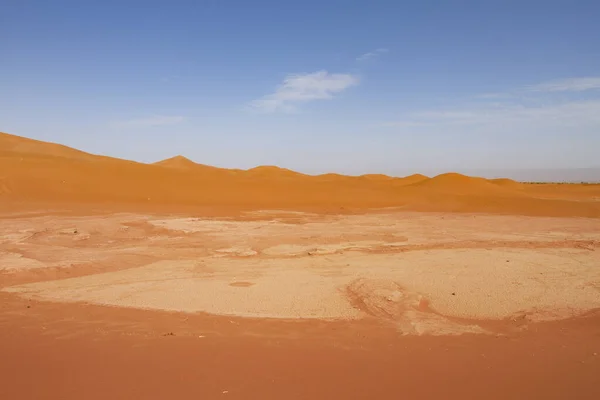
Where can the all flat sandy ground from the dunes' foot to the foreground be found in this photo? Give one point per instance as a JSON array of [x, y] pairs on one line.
[[386, 304]]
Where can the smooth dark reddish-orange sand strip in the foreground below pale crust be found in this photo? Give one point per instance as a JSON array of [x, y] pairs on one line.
[[74, 351]]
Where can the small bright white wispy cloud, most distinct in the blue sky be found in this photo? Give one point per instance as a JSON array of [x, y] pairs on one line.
[[302, 88]]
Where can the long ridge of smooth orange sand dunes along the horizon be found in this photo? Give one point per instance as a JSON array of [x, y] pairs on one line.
[[35, 172]]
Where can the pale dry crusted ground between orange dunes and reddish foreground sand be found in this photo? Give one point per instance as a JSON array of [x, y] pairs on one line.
[[422, 273]]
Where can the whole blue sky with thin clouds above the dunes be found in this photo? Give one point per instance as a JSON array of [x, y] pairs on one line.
[[347, 86]]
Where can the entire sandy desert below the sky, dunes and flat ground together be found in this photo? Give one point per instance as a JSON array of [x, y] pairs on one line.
[[175, 279]]
